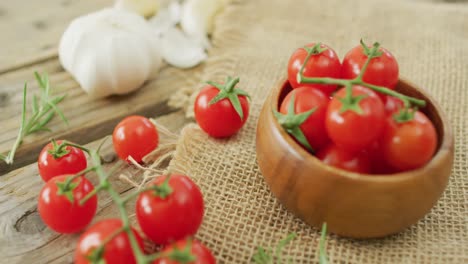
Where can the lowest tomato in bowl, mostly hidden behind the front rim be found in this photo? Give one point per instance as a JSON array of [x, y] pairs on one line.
[[337, 157]]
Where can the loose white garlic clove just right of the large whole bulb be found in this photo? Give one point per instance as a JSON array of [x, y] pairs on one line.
[[180, 50]]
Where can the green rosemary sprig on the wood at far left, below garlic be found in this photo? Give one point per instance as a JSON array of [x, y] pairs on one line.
[[44, 109]]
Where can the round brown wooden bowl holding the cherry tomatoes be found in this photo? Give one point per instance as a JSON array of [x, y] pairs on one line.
[[353, 205]]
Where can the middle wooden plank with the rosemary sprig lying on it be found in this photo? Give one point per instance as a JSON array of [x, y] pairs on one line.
[[89, 119]]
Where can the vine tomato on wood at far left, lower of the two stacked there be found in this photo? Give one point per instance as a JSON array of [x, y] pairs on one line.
[[59, 213]]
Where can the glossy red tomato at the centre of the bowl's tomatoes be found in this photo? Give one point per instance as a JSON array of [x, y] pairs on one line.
[[353, 131]]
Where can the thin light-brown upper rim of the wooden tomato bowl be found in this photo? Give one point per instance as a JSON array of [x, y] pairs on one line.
[[445, 146]]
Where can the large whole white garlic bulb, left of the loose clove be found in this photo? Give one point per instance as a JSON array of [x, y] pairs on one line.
[[110, 52]]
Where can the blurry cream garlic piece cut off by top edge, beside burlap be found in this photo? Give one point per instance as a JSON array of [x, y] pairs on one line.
[[198, 15]]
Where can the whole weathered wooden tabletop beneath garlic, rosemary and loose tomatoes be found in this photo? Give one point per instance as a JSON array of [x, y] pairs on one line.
[[30, 34]]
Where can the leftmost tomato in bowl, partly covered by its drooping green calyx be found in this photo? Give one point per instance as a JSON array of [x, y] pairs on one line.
[[305, 99]]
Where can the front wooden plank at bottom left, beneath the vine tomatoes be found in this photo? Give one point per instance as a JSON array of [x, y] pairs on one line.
[[24, 238]]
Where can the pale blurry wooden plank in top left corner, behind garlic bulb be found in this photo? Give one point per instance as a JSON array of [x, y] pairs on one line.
[[31, 29]]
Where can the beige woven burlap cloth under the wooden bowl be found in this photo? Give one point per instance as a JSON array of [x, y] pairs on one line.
[[253, 40]]
